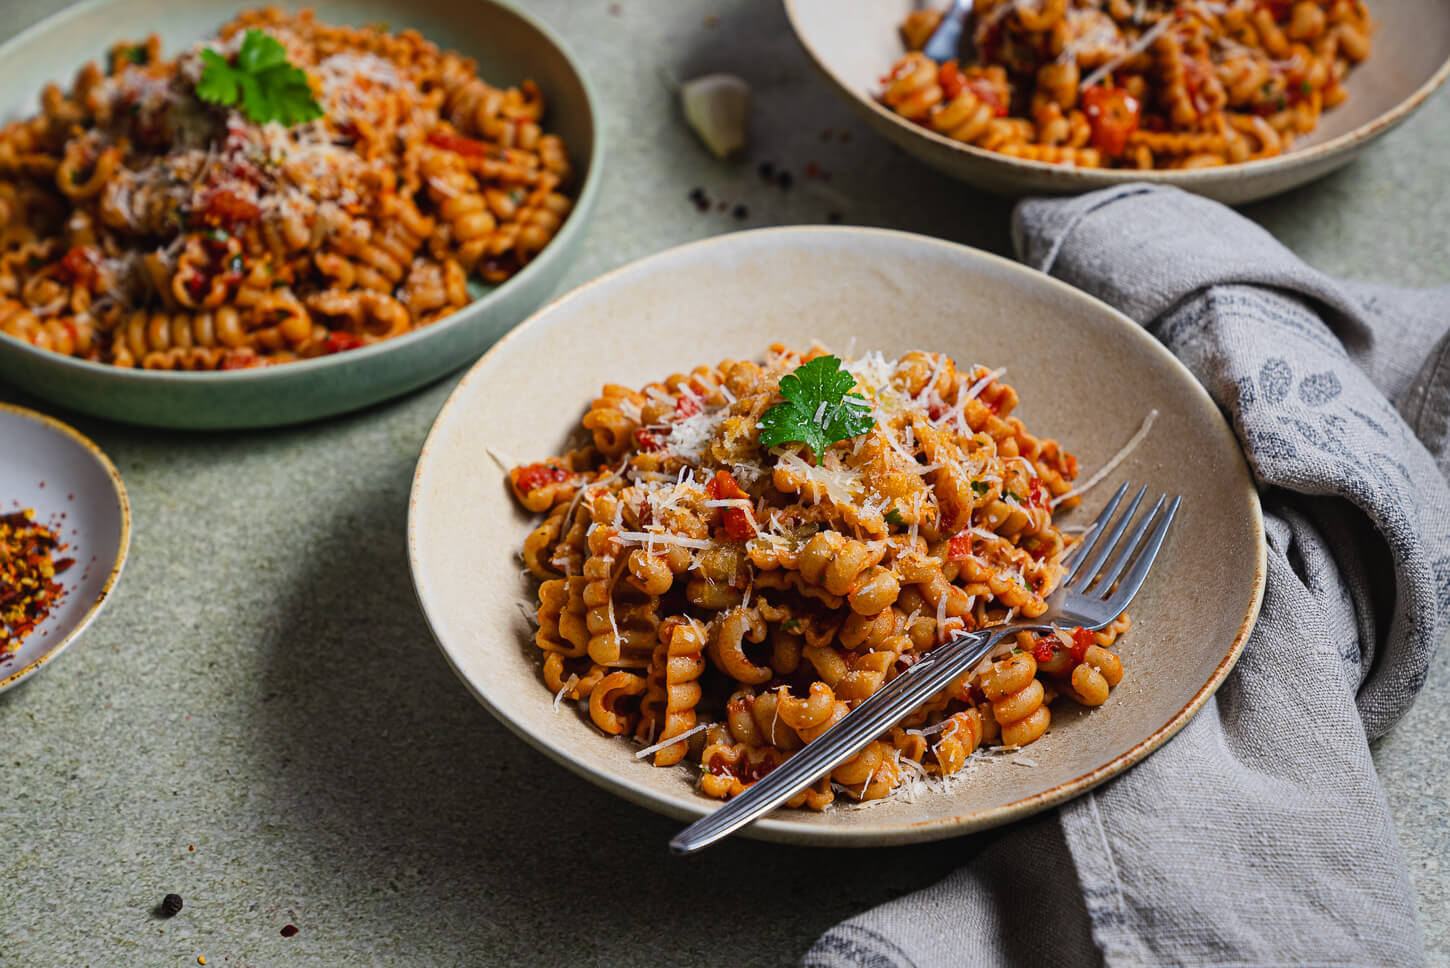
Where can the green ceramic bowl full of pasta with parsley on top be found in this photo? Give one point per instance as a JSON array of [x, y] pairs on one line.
[[215, 217]]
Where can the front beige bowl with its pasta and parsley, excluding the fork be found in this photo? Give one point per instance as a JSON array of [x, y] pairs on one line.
[[820, 454]]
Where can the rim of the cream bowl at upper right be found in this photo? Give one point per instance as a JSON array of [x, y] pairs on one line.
[[1087, 179]]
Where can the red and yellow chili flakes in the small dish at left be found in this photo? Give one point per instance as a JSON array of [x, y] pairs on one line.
[[28, 570]]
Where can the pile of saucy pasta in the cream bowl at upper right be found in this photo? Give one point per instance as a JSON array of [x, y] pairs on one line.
[[1135, 83]]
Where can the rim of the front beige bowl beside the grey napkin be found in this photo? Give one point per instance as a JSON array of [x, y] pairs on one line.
[[775, 828]]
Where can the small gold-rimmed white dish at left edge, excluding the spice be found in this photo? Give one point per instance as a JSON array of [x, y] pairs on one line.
[[73, 488]]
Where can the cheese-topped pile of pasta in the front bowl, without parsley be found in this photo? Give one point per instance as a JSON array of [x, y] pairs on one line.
[[739, 601]]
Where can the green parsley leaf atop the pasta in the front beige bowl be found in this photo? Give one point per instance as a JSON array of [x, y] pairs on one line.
[[820, 409]]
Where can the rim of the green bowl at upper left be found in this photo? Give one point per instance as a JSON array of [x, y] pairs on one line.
[[584, 204]]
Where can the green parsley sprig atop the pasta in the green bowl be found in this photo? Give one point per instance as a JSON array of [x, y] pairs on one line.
[[269, 88]]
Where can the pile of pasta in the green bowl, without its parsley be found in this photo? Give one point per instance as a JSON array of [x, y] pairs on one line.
[[143, 227]]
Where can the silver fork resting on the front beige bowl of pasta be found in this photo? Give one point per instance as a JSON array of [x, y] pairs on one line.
[[1094, 593]]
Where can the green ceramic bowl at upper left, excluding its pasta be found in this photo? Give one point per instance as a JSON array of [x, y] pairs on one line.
[[508, 46]]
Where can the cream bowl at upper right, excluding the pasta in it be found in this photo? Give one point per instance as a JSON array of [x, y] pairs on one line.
[[855, 43]]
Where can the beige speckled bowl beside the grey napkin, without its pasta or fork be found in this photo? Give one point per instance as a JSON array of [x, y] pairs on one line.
[[1085, 373]]
